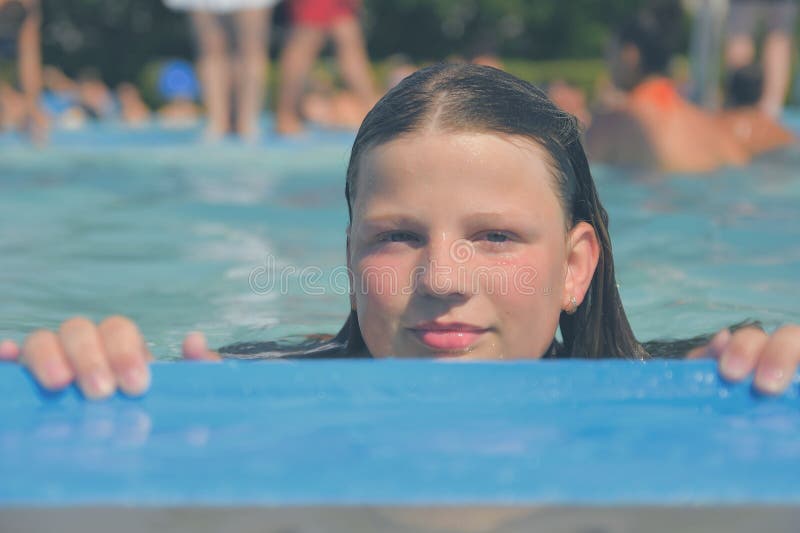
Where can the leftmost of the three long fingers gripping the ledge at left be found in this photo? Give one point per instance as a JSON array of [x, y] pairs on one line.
[[43, 355]]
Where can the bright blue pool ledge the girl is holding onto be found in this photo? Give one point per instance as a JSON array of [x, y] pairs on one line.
[[394, 432]]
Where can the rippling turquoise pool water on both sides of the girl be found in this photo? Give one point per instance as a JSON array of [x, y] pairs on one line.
[[150, 224]]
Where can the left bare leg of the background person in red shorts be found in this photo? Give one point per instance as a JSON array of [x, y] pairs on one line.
[[298, 57]]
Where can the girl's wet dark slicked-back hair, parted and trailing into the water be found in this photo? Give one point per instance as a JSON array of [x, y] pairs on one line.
[[471, 98]]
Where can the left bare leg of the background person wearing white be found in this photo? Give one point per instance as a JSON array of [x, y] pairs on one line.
[[214, 70]]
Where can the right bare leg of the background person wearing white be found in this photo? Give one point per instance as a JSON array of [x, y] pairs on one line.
[[252, 27]]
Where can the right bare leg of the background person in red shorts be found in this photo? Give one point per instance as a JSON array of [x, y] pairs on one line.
[[351, 52]]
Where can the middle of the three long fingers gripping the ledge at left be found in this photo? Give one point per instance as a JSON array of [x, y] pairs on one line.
[[84, 351]]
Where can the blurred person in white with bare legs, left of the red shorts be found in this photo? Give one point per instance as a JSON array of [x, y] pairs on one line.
[[226, 79]]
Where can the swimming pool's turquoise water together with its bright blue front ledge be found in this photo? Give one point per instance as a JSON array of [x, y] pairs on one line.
[[148, 224]]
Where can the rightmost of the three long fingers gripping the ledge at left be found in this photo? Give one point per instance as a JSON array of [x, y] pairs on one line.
[[126, 353]]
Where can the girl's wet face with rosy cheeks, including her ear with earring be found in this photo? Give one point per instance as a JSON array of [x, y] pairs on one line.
[[459, 248]]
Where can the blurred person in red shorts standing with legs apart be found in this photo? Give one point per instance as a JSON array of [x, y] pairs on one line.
[[313, 22]]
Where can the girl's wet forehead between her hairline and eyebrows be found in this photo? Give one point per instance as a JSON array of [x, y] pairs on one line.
[[480, 167]]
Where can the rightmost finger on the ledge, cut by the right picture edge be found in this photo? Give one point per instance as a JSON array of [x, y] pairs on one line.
[[778, 362]]
